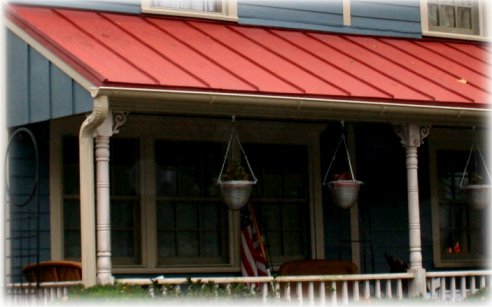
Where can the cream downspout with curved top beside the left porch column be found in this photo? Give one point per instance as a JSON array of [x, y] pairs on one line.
[[87, 192]]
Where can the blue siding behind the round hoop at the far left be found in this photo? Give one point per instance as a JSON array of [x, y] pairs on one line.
[[23, 224]]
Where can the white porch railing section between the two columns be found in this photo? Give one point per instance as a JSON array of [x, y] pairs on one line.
[[319, 289]]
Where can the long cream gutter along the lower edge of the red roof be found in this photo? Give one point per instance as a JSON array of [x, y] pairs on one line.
[[289, 106]]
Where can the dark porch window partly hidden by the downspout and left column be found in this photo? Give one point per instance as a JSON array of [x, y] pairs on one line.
[[125, 210]]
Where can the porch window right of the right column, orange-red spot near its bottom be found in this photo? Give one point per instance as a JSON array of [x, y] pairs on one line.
[[460, 231]]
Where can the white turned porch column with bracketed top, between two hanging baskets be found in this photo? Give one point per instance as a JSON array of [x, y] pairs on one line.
[[411, 136]]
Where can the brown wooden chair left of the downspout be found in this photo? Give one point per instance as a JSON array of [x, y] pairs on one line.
[[53, 271]]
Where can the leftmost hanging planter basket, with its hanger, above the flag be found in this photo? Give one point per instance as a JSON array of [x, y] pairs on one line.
[[235, 184]]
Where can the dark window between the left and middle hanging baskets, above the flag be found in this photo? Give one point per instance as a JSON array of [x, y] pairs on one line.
[[281, 199]]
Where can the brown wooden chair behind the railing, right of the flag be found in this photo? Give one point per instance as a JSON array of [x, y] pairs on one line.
[[319, 267]]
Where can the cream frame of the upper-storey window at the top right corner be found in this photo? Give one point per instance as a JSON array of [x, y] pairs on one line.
[[482, 34]]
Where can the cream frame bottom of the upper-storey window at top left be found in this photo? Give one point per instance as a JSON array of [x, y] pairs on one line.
[[228, 12]]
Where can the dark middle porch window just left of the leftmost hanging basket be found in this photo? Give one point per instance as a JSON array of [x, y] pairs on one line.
[[192, 224]]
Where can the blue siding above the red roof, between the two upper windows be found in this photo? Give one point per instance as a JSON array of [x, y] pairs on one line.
[[395, 18]]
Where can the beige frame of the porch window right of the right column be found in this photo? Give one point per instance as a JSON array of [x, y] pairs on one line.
[[452, 140]]
